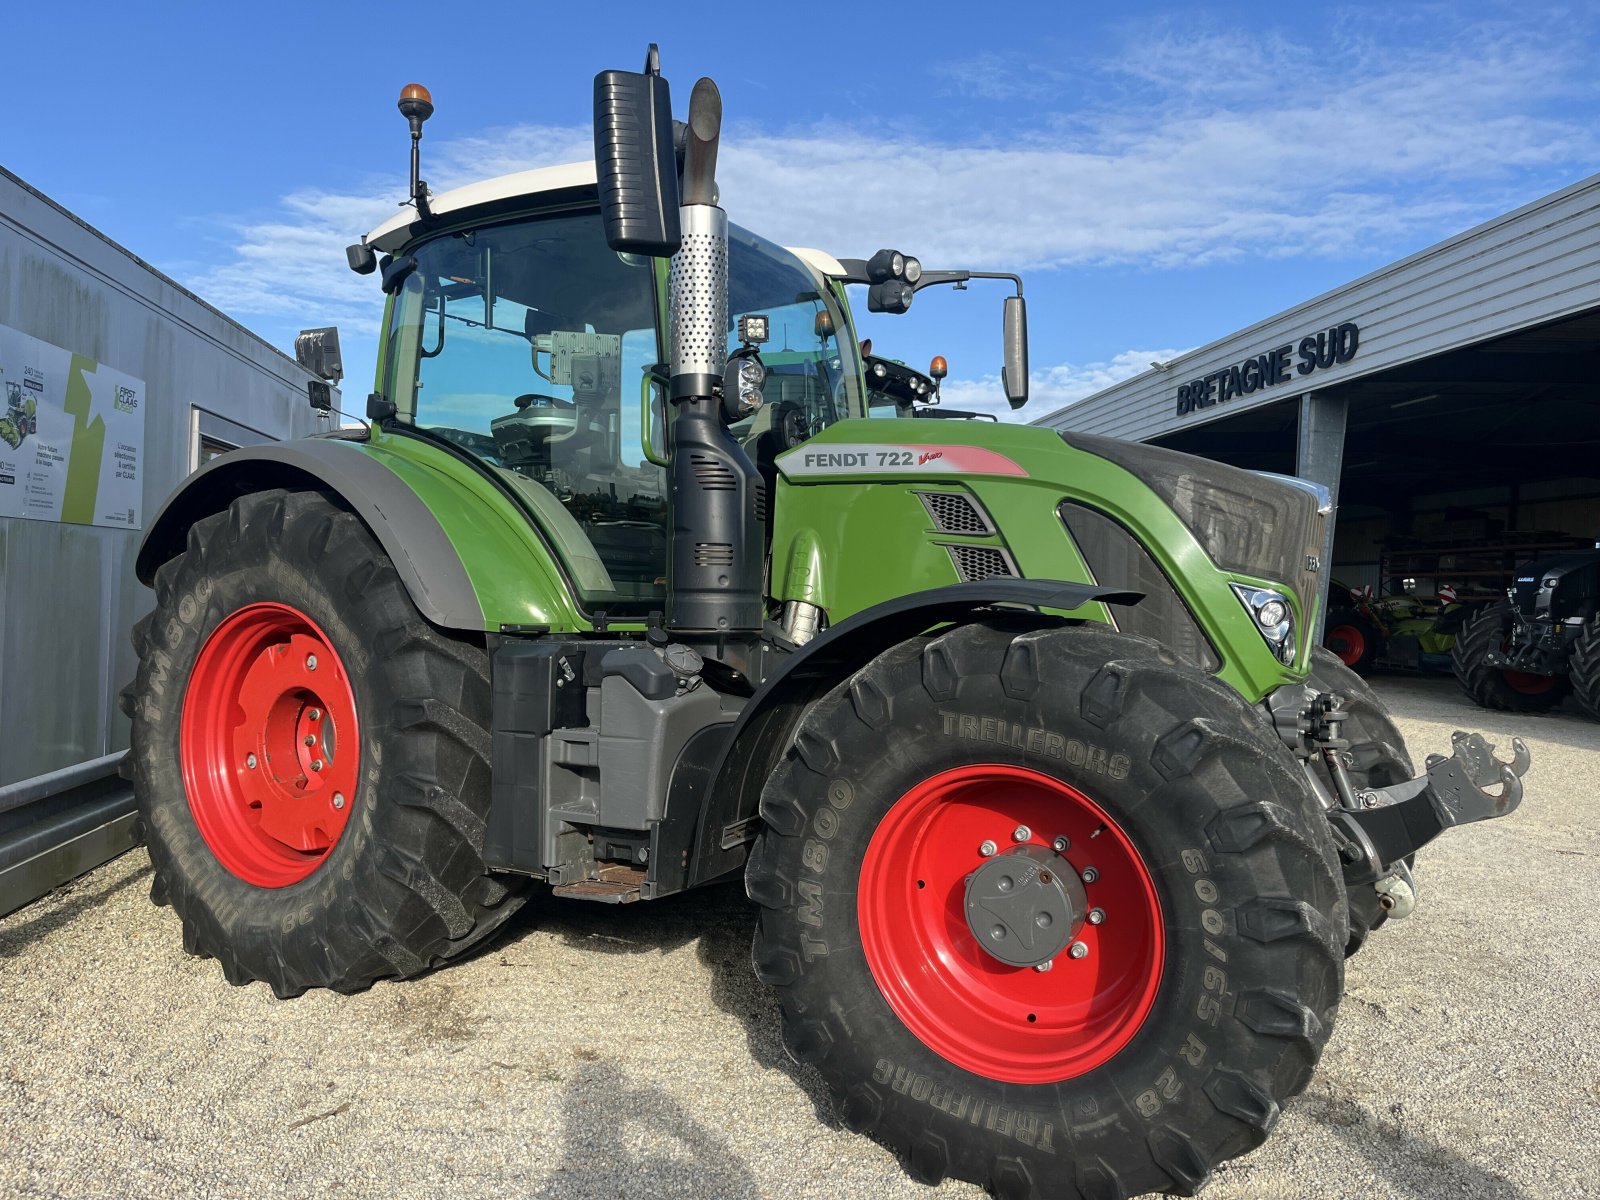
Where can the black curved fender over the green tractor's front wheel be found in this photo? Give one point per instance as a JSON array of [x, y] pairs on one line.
[[746, 756]]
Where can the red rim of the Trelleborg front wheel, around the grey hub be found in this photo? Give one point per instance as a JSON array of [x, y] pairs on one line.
[[1001, 1022]]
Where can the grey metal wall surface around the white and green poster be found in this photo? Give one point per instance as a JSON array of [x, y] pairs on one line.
[[68, 594]]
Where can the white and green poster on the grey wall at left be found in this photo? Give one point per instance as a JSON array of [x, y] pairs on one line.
[[71, 436]]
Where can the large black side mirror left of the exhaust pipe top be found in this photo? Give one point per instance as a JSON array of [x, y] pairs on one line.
[[634, 161]]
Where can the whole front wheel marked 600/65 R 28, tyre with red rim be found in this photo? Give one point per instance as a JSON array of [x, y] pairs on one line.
[[1199, 967]]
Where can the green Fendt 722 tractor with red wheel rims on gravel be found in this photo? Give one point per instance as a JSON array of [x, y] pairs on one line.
[[1058, 823]]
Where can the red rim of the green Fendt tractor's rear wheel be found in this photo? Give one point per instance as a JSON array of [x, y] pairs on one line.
[[270, 745]]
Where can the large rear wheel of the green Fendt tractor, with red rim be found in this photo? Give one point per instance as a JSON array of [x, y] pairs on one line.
[[266, 870]]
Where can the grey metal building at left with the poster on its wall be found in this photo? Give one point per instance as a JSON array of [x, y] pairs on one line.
[[114, 385]]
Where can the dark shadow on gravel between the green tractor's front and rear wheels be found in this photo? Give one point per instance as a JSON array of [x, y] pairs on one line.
[[719, 921]]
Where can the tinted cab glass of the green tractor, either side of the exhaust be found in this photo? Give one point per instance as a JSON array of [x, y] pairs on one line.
[[527, 345]]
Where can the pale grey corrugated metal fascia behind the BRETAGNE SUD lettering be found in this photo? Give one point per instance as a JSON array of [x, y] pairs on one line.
[[1527, 268]]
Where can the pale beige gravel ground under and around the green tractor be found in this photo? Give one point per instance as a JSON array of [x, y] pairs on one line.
[[596, 1052]]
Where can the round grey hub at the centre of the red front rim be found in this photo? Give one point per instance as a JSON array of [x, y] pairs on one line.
[[1025, 906]]
